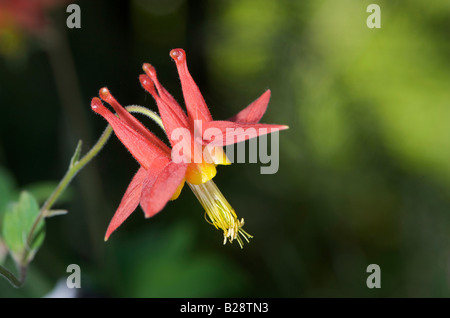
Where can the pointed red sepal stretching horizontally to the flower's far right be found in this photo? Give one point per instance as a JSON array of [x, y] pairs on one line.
[[227, 132]]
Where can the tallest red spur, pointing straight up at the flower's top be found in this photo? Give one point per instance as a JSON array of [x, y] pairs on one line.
[[195, 104]]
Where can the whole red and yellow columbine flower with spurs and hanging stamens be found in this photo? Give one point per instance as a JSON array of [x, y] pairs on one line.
[[163, 171]]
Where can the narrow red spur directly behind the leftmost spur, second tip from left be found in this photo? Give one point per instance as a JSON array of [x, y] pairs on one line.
[[131, 121]]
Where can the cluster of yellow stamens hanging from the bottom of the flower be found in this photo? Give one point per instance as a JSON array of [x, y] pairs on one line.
[[219, 213]]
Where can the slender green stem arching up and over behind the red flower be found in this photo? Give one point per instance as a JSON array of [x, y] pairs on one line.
[[74, 168]]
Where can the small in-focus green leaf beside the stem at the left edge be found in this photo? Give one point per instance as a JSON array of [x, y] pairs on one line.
[[17, 225]]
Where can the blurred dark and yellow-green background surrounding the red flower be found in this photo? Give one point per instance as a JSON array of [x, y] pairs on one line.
[[364, 172]]
